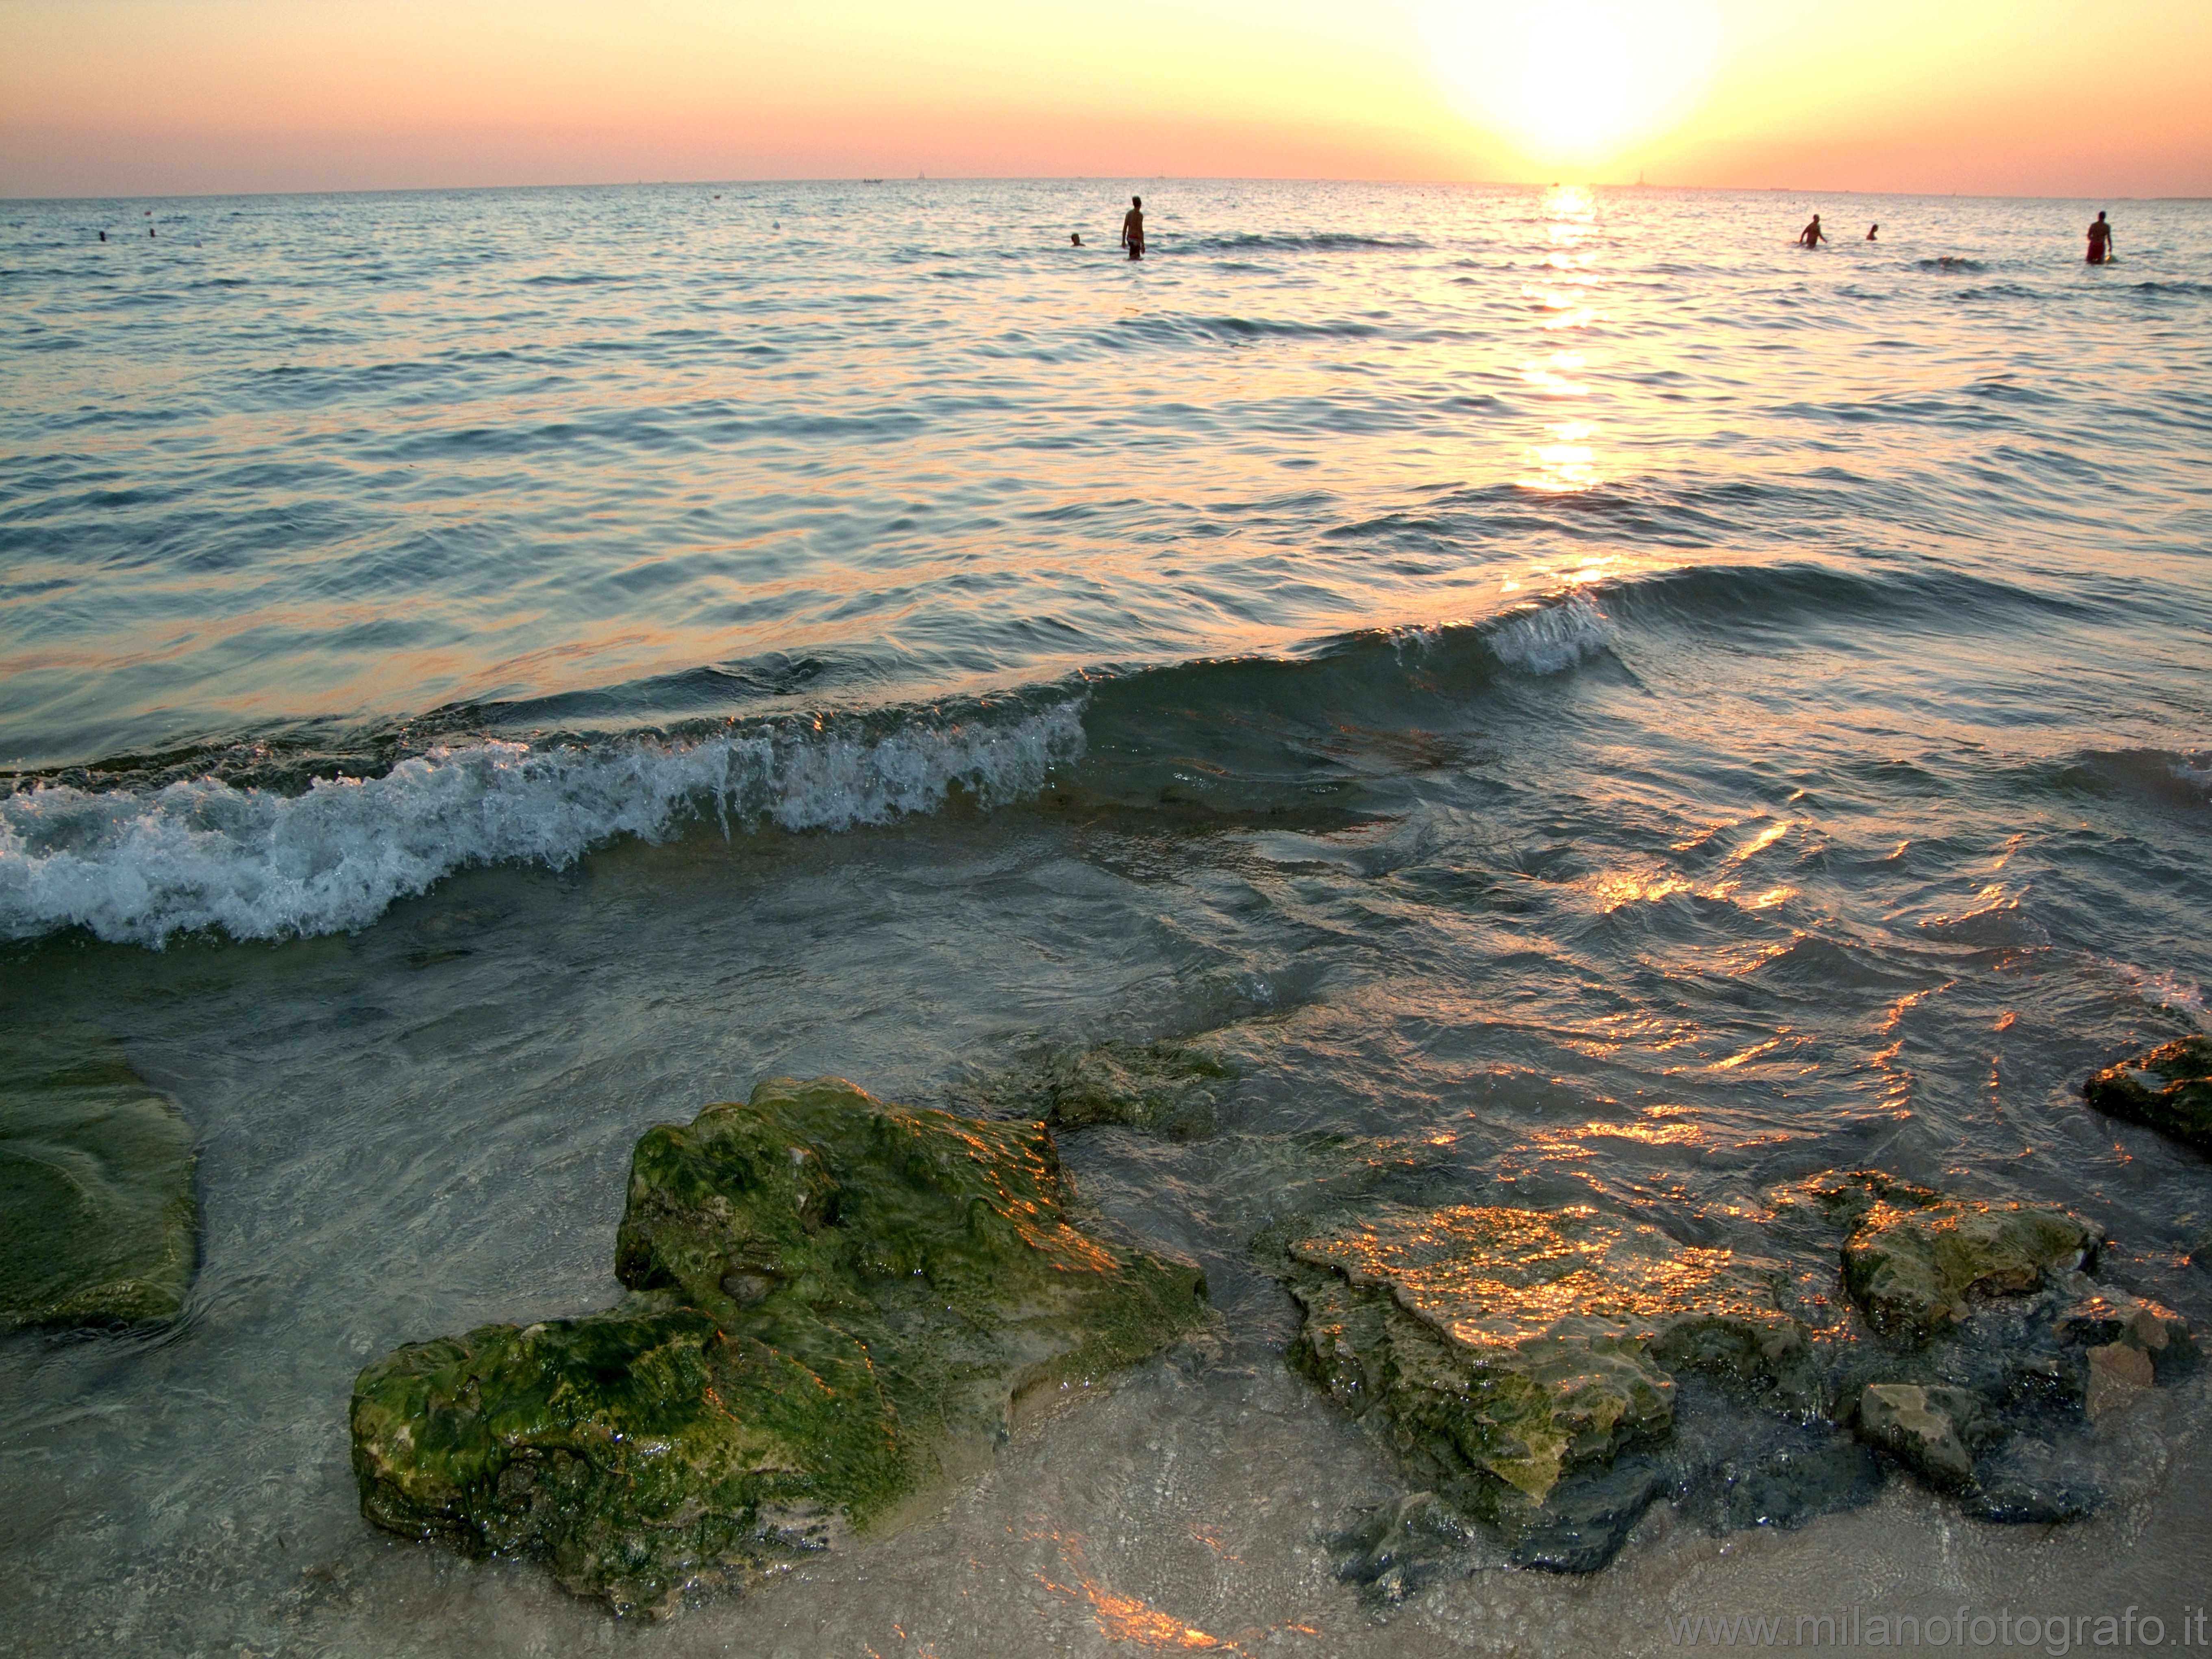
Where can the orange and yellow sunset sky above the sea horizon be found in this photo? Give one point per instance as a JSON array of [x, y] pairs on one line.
[[1972, 96]]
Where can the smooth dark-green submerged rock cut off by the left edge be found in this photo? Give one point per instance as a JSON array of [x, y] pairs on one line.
[[96, 1187]]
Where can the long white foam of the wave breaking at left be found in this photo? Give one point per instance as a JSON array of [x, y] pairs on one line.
[[145, 866]]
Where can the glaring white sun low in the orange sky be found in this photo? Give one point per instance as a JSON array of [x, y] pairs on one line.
[[1576, 81]]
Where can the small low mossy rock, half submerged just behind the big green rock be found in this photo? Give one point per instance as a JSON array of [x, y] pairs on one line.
[[1162, 1087]]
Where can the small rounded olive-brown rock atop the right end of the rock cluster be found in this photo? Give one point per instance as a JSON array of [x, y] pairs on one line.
[[1914, 1264]]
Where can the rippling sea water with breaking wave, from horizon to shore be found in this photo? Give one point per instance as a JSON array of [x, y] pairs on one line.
[[1583, 700]]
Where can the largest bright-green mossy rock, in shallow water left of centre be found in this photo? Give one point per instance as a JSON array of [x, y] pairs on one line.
[[835, 1304]]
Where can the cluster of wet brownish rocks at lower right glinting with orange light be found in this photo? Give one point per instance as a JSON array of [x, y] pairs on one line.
[[1554, 1373]]
